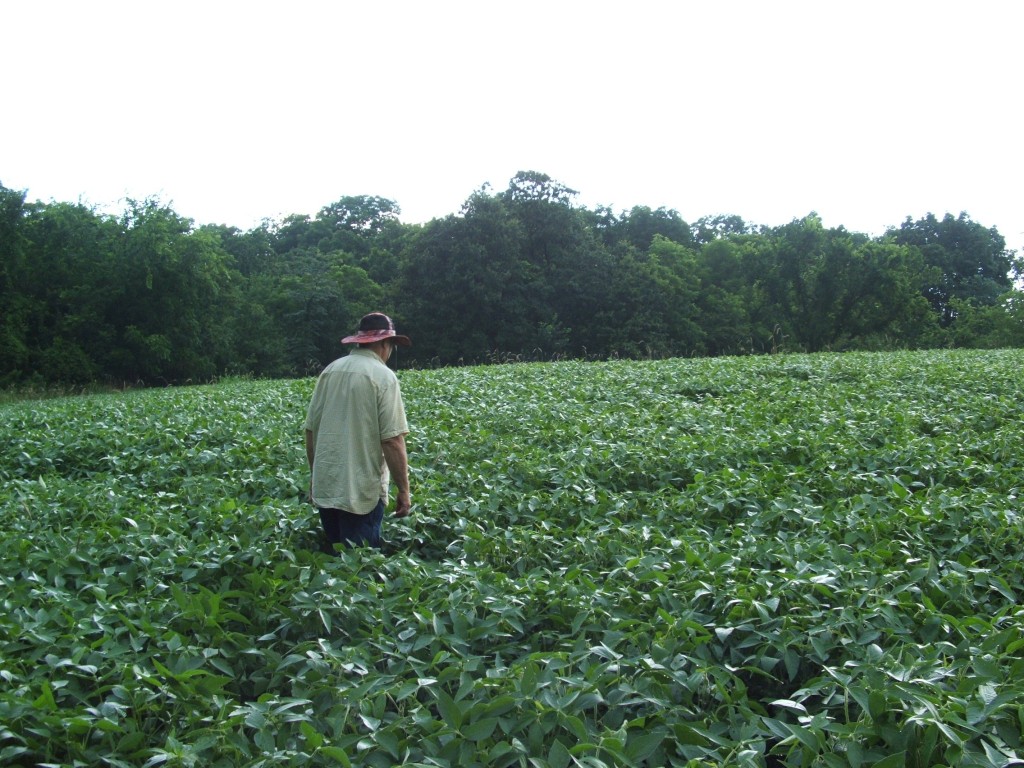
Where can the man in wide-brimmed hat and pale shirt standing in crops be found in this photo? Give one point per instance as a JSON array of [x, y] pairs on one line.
[[356, 438]]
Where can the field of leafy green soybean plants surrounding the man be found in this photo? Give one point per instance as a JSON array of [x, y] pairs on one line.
[[760, 561]]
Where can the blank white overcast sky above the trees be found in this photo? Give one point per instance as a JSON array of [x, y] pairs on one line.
[[865, 112]]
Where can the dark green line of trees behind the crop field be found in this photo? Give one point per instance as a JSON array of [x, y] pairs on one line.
[[147, 297]]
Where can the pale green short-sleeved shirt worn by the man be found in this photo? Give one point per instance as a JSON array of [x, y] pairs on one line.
[[356, 406]]
